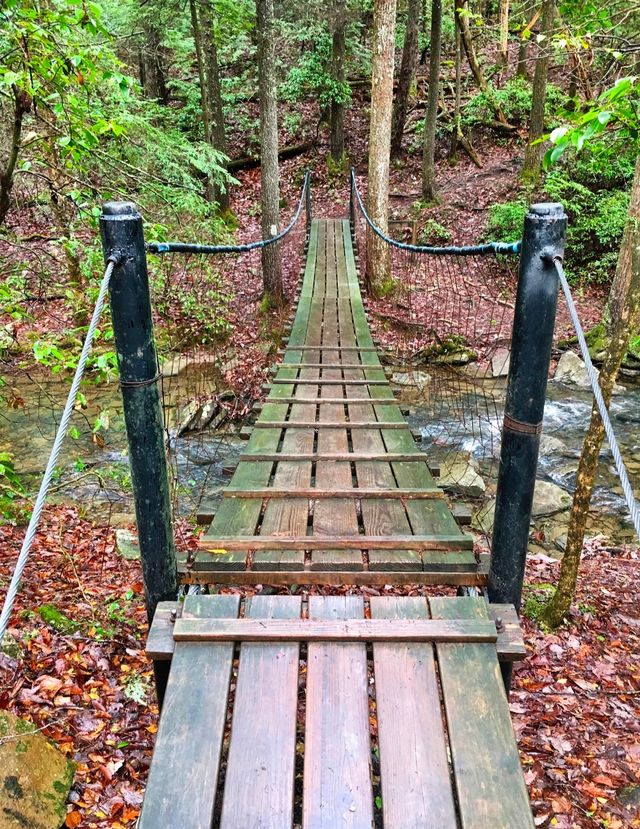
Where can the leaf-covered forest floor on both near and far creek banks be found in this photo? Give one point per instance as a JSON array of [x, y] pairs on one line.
[[89, 686]]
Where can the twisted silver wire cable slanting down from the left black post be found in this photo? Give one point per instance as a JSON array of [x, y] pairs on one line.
[[32, 529]]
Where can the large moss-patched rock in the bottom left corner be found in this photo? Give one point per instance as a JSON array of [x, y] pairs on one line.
[[35, 777]]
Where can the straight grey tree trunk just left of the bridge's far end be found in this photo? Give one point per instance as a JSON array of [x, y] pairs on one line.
[[269, 174]]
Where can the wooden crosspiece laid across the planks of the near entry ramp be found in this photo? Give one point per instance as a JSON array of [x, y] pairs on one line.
[[290, 628]]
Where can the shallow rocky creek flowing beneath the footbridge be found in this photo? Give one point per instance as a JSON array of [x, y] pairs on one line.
[[459, 421]]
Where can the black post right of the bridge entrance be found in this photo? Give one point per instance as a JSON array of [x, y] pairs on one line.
[[544, 234]]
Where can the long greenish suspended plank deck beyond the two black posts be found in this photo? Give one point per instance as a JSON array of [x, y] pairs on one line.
[[378, 516]]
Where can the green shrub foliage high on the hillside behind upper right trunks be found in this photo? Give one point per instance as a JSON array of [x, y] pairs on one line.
[[514, 99]]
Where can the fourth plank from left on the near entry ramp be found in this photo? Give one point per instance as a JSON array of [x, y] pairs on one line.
[[416, 784]]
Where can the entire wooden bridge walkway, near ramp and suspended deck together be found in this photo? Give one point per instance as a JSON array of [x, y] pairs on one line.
[[325, 712]]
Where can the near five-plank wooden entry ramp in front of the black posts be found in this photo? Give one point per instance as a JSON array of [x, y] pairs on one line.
[[334, 718]]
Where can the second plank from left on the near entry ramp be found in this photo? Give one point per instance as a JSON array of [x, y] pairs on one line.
[[260, 768]]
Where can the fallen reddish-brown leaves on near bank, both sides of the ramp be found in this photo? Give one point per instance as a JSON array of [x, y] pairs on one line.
[[85, 681]]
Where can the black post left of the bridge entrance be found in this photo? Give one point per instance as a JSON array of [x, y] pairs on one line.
[[121, 230]]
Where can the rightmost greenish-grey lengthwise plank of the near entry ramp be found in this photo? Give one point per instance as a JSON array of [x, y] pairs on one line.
[[489, 783]]
